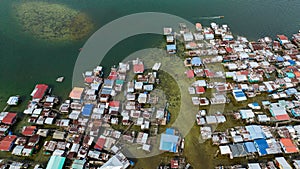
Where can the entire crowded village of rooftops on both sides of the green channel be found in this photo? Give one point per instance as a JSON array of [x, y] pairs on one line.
[[80, 132]]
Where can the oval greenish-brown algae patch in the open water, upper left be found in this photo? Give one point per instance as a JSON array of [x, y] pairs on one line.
[[53, 21]]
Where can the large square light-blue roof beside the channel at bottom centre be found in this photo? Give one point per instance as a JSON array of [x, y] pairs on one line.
[[168, 142]]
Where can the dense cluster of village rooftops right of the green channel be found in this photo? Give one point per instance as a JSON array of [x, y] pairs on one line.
[[250, 69]]
